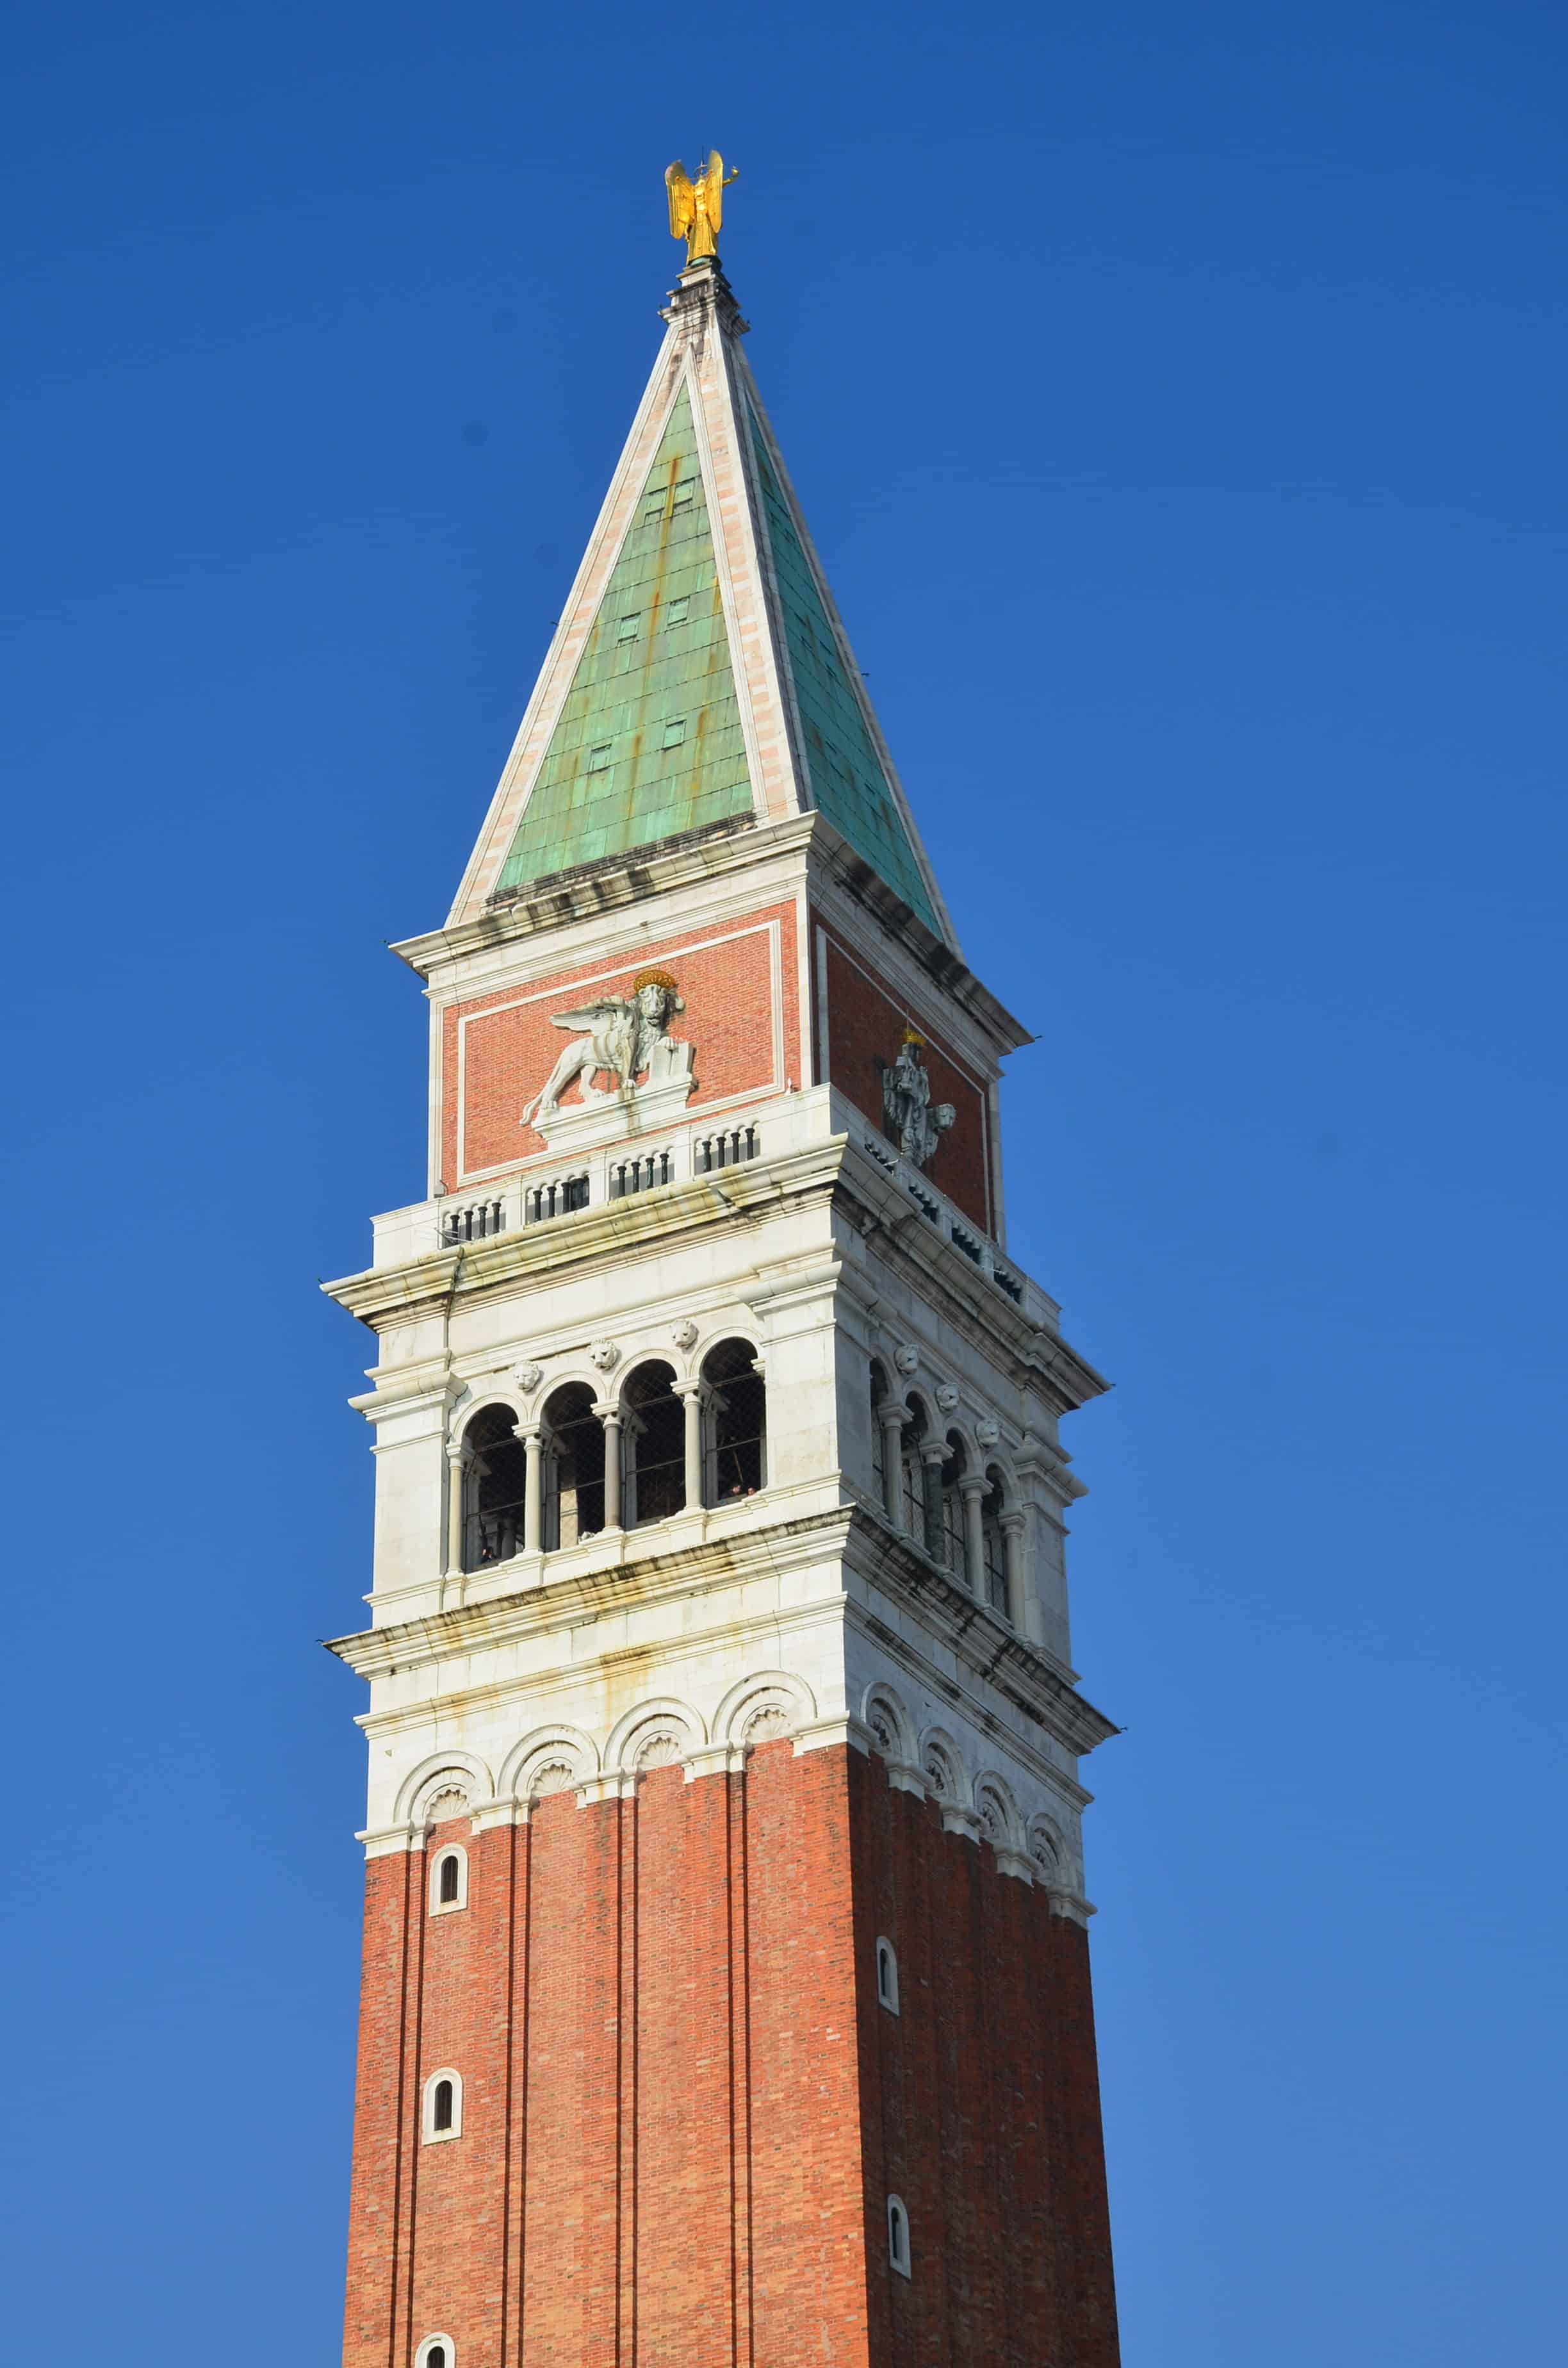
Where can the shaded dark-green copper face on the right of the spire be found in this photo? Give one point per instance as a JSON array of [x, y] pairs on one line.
[[847, 778]]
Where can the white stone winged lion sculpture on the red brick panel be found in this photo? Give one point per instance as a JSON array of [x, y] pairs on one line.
[[622, 1038]]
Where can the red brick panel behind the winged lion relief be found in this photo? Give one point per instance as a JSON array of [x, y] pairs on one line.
[[510, 1043]]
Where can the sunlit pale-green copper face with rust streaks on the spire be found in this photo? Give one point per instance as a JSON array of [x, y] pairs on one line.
[[650, 738]]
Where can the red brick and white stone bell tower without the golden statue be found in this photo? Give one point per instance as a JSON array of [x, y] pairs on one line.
[[726, 1943]]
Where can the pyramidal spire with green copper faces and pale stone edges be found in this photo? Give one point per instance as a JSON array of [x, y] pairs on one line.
[[700, 678]]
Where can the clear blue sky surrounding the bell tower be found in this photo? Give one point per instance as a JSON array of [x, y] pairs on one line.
[[1176, 399]]
